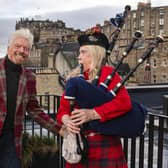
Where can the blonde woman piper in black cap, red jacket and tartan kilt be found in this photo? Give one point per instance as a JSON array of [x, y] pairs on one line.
[[103, 151]]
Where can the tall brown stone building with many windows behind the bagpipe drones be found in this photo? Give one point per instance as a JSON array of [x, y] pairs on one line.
[[151, 21]]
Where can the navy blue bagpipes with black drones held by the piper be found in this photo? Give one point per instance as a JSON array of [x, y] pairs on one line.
[[89, 95]]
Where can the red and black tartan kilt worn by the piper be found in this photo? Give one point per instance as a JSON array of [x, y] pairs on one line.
[[104, 152]]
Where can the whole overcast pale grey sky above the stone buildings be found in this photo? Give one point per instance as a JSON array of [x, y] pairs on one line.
[[78, 14]]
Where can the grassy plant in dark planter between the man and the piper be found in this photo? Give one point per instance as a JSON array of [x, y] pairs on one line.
[[39, 152]]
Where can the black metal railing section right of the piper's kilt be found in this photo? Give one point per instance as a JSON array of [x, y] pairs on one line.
[[151, 149]]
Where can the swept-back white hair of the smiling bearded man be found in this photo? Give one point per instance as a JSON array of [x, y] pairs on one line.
[[25, 33]]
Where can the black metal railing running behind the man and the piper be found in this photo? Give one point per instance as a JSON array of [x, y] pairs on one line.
[[147, 151]]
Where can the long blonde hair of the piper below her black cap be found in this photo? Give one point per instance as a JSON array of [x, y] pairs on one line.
[[97, 54]]
